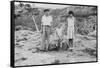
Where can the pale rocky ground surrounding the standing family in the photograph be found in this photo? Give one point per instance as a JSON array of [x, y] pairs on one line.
[[27, 44]]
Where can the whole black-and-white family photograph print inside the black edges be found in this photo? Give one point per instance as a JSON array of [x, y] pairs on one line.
[[50, 34]]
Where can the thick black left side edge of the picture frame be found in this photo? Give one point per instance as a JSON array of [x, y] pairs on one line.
[[12, 33]]
